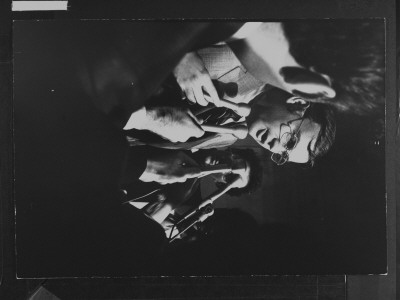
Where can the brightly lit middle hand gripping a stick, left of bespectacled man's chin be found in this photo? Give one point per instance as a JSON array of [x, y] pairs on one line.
[[174, 124]]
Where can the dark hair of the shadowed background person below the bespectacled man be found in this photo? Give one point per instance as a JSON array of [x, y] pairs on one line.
[[255, 176]]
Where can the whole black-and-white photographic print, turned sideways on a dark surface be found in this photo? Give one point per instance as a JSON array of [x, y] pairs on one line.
[[199, 148]]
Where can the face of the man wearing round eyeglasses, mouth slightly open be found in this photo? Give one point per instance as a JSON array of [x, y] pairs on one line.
[[268, 122]]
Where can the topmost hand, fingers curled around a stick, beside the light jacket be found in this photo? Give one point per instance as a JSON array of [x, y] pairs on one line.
[[194, 80]]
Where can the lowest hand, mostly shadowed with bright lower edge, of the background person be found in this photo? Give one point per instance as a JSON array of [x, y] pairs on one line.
[[169, 168]]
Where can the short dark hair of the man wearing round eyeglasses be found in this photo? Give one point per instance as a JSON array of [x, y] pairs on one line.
[[323, 115]]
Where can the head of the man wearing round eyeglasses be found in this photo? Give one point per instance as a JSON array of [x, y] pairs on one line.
[[291, 128]]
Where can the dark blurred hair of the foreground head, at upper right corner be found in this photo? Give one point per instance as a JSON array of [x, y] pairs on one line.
[[350, 52]]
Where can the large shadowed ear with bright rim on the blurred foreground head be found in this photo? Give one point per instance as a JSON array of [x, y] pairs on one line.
[[307, 82]]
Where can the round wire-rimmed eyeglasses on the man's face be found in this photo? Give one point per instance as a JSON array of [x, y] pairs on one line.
[[288, 139]]
